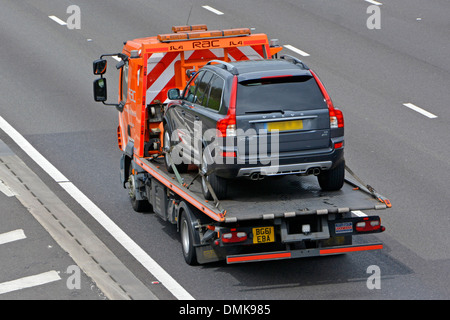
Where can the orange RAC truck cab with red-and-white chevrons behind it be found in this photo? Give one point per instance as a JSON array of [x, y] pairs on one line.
[[157, 64]]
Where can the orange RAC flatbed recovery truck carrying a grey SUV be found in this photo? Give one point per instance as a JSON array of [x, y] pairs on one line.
[[277, 218]]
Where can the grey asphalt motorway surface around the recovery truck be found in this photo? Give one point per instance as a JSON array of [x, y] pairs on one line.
[[46, 88]]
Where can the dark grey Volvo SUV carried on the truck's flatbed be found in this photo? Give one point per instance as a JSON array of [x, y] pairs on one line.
[[255, 119]]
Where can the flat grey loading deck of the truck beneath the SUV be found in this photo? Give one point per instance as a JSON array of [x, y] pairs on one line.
[[273, 197]]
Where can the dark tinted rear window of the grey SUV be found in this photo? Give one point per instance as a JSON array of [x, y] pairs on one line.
[[293, 93]]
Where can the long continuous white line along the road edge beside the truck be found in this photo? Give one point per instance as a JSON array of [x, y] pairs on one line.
[[151, 265]]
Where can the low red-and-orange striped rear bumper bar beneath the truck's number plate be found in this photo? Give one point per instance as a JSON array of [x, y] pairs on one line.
[[280, 255]]
